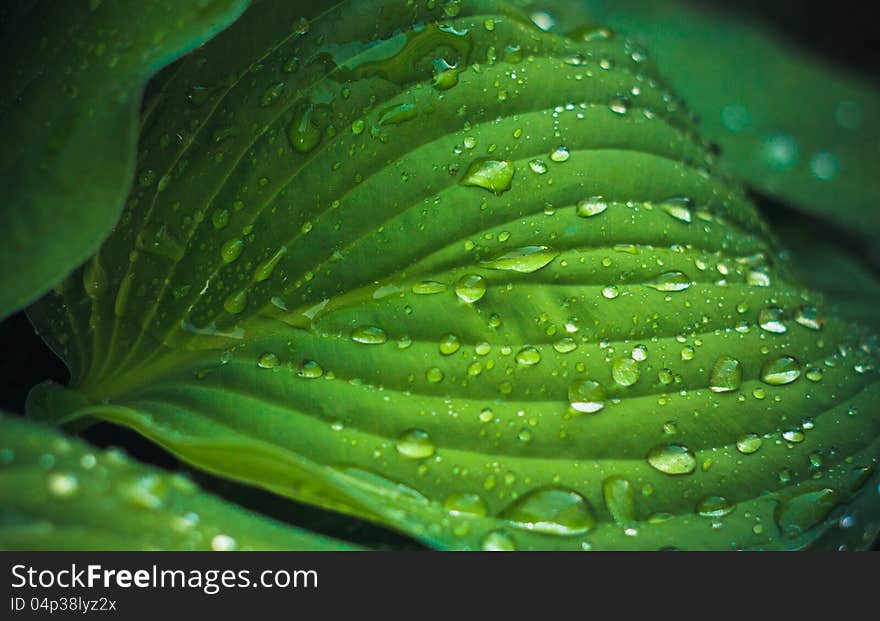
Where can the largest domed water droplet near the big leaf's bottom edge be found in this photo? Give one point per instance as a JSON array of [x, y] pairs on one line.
[[551, 510]]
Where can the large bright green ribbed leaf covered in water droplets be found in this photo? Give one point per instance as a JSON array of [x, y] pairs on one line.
[[475, 281]]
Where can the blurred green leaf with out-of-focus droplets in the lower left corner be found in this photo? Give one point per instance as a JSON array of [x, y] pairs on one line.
[[60, 493]]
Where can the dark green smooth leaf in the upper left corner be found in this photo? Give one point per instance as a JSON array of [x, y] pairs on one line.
[[74, 78]]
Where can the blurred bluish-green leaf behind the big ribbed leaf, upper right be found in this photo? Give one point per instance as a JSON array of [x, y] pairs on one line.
[[794, 125]]
